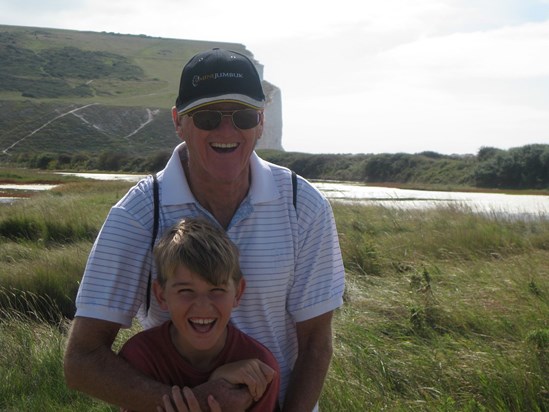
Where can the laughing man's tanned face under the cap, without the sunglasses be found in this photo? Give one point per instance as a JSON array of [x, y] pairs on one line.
[[223, 153]]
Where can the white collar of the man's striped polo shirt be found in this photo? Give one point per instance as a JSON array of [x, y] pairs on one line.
[[176, 190]]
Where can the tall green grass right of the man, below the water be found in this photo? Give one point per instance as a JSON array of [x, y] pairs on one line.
[[453, 315]]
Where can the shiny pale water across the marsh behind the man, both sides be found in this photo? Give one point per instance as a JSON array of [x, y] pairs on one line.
[[520, 206]]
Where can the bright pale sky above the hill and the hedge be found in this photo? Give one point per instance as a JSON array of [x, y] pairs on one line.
[[362, 76]]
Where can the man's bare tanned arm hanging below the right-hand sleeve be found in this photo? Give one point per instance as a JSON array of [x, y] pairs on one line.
[[314, 354]]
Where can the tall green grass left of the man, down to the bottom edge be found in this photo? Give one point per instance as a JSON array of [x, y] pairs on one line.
[[44, 243]]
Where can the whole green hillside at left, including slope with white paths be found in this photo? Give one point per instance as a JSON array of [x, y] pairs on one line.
[[64, 91]]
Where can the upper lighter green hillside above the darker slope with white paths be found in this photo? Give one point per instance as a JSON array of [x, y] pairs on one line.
[[107, 68]]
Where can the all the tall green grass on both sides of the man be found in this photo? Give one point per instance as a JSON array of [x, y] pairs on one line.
[[445, 310]]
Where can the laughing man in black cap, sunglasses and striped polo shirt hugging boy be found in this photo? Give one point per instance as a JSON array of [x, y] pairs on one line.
[[289, 252]]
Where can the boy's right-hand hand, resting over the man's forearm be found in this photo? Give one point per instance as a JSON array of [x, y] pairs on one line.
[[253, 373]]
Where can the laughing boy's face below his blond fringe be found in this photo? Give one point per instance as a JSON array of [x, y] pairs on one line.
[[199, 311]]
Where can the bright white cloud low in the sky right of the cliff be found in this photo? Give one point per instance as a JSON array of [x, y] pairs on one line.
[[451, 93]]
